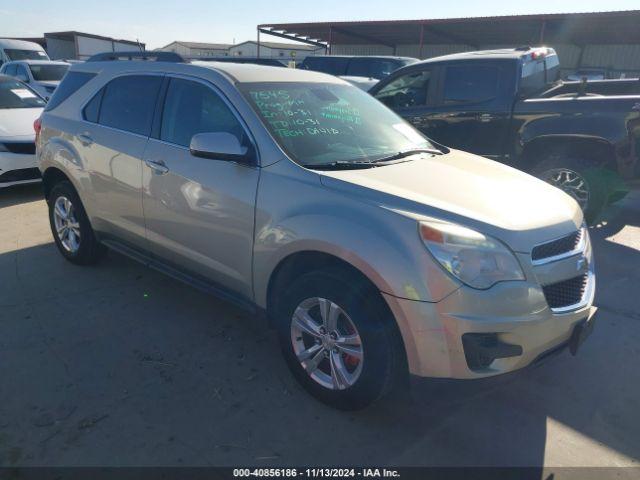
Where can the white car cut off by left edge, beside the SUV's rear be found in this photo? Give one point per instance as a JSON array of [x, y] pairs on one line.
[[19, 108]]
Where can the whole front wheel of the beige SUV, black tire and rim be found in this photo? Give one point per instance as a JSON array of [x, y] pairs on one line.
[[354, 382]]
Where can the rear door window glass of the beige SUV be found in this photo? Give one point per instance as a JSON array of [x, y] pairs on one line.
[[128, 103]]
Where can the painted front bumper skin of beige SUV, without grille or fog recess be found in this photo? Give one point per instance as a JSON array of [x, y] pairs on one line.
[[433, 332]]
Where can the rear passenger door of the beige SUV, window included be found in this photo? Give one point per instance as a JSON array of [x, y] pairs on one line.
[[112, 140]]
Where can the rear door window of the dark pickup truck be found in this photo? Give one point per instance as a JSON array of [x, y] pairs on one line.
[[470, 84]]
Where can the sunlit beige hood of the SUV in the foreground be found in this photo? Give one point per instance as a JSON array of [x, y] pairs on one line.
[[473, 191]]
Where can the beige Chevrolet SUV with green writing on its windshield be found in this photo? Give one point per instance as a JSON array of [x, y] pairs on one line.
[[373, 251]]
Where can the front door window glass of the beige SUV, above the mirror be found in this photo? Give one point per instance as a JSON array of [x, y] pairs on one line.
[[191, 108]]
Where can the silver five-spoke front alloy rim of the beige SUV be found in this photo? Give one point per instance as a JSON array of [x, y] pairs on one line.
[[327, 343]]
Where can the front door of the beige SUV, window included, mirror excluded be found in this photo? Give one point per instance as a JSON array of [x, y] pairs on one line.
[[199, 212]]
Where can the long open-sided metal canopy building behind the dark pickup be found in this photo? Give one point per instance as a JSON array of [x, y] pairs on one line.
[[605, 40]]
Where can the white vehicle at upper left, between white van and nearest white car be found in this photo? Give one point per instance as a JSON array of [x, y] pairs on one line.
[[43, 76]]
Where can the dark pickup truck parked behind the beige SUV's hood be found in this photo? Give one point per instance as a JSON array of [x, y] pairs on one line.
[[509, 105]]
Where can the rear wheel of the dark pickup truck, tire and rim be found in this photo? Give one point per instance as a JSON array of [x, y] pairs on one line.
[[568, 173]]
